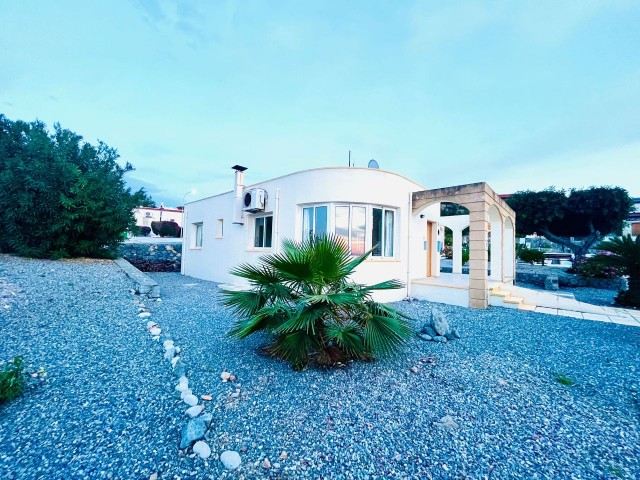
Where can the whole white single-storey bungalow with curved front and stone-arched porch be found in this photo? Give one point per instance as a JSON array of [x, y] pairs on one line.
[[370, 209]]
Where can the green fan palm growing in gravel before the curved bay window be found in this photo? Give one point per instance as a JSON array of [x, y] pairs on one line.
[[304, 298]]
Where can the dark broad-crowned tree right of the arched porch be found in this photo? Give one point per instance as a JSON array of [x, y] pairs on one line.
[[586, 215]]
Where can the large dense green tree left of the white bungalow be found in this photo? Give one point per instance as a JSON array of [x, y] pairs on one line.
[[61, 196]]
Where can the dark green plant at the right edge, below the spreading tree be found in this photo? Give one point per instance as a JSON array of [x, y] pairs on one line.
[[624, 253]]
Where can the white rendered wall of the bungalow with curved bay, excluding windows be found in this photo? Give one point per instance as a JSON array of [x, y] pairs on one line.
[[286, 197]]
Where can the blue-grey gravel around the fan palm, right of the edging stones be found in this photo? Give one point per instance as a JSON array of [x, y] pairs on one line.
[[378, 420]]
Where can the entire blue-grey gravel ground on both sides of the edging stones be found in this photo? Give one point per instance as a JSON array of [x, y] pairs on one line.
[[109, 407]]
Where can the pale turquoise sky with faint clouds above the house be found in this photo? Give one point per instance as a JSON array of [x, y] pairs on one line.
[[519, 94]]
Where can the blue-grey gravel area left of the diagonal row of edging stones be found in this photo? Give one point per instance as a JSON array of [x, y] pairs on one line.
[[106, 409]]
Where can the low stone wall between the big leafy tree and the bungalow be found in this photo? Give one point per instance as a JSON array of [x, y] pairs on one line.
[[153, 257]]
